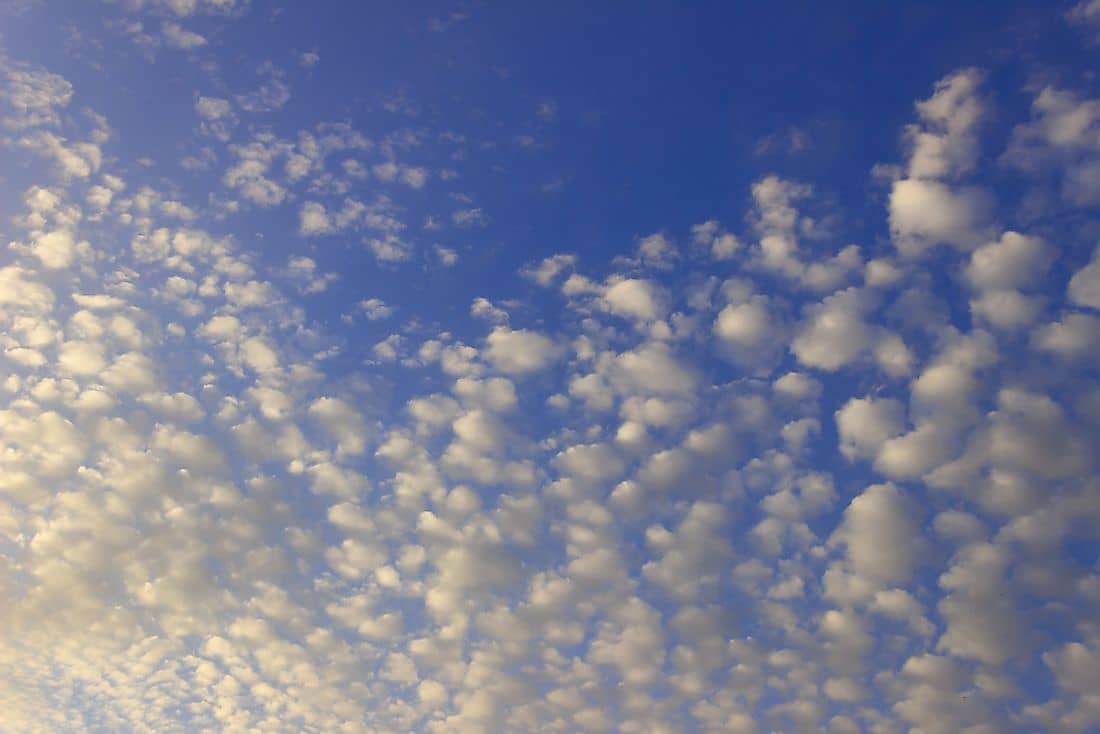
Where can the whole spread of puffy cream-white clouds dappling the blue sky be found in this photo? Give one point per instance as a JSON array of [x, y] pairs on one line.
[[793, 485]]
